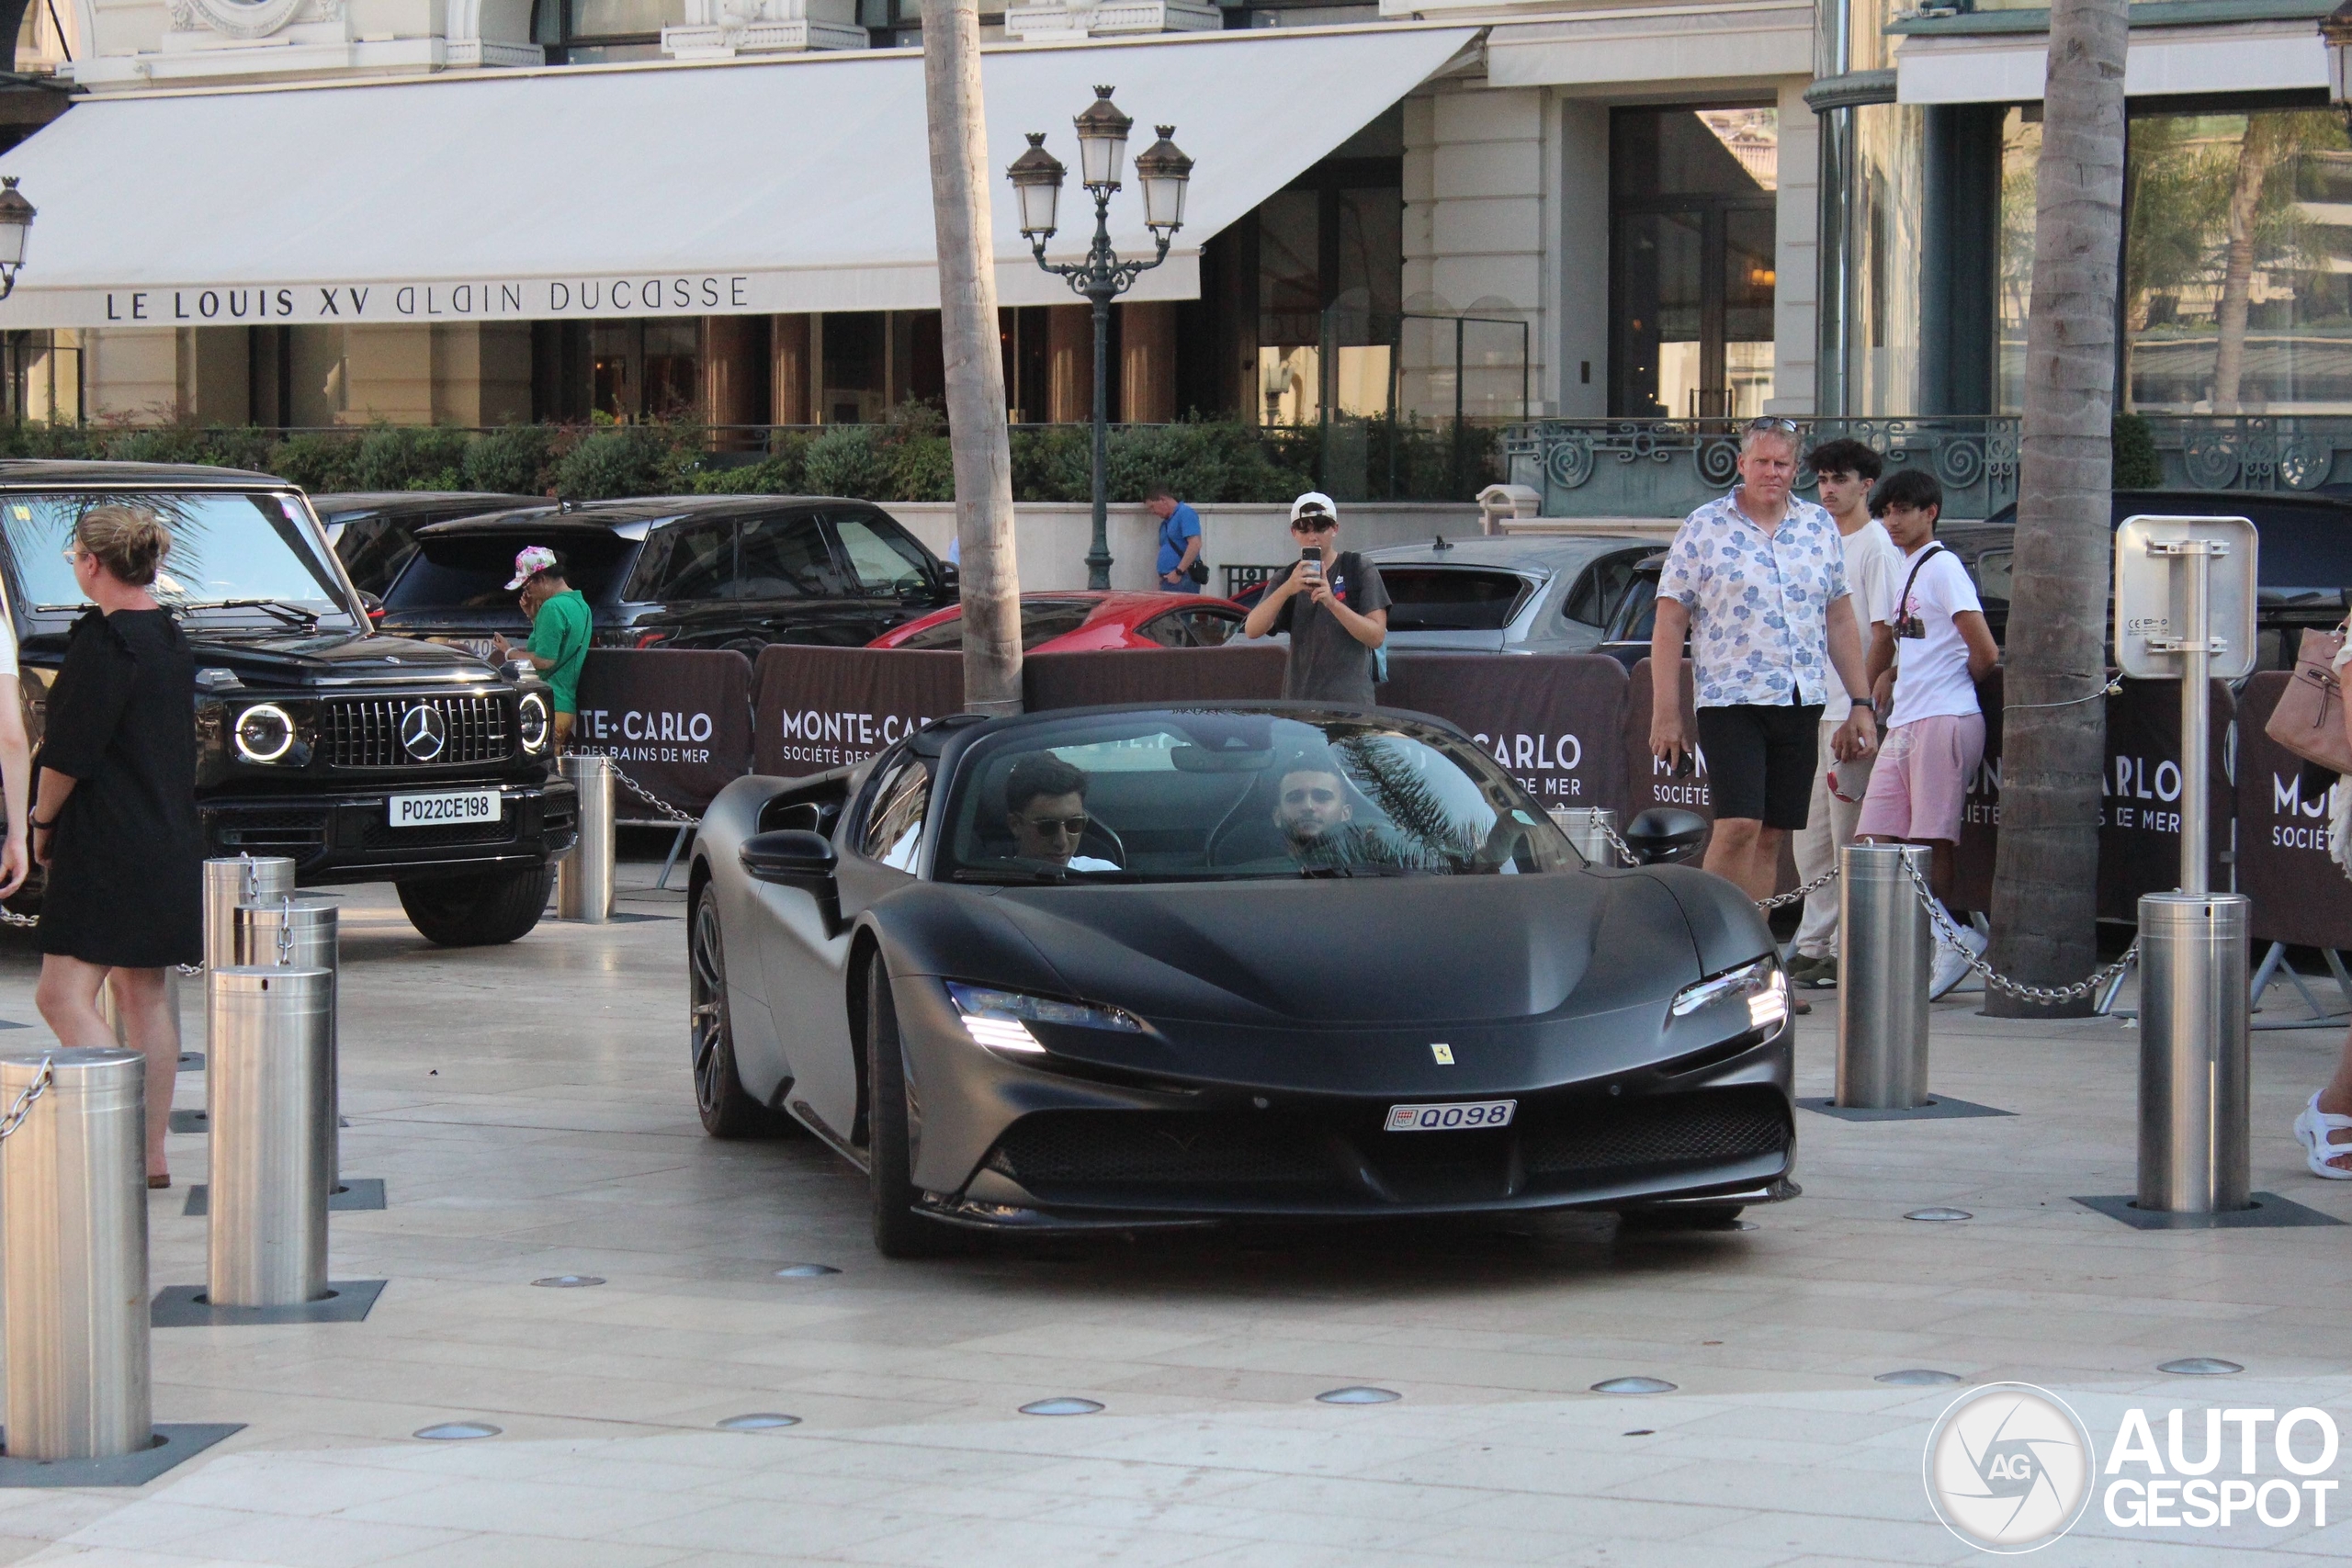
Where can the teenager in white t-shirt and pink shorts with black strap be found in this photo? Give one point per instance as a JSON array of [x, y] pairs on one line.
[[1937, 730]]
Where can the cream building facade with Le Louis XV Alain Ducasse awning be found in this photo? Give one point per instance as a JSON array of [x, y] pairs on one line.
[[1544, 208]]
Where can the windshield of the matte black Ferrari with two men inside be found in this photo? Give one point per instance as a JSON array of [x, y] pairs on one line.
[[1238, 796]]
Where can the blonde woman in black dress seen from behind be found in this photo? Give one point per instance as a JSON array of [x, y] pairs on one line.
[[114, 812]]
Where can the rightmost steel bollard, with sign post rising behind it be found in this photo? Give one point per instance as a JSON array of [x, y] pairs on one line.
[[2193, 1052]]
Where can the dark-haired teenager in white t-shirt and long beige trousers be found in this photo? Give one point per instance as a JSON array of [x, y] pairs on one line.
[[1845, 471]]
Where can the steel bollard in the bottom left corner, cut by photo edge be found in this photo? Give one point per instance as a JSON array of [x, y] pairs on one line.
[[74, 1257]]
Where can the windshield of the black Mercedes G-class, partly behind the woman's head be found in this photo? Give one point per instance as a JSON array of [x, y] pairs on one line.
[[253, 556]]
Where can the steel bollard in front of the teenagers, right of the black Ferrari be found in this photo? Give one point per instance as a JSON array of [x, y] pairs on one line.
[[1883, 977]]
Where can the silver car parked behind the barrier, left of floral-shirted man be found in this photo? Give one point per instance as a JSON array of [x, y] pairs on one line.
[[1509, 596]]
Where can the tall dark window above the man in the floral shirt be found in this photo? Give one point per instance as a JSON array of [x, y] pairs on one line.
[[1692, 196]]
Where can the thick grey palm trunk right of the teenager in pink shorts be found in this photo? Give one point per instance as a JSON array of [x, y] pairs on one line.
[[2045, 885]]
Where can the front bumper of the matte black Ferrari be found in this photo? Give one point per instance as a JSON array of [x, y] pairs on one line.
[[1017, 1146]]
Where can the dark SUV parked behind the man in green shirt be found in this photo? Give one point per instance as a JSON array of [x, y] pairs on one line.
[[681, 572]]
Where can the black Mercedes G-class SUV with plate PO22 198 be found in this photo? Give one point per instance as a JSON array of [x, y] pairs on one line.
[[363, 758]]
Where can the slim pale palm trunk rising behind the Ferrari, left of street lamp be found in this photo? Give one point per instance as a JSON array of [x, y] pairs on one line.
[[968, 328]]
